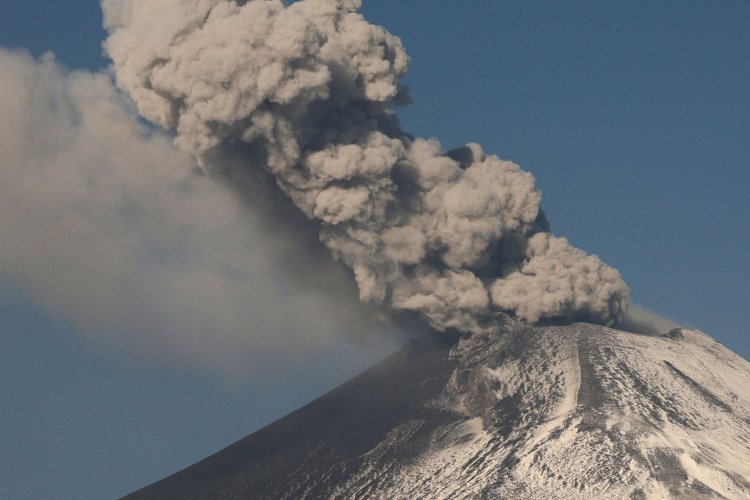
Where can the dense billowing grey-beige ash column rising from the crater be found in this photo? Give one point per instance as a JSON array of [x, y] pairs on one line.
[[310, 88]]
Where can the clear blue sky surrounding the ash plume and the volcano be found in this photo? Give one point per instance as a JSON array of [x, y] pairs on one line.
[[633, 116]]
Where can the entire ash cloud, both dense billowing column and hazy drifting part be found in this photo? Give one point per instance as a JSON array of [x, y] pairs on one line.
[[217, 254]]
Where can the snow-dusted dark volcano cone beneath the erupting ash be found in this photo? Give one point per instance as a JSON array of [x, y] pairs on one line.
[[575, 411]]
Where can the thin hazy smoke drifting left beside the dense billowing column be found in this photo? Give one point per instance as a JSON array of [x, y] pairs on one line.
[[111, 228]]
